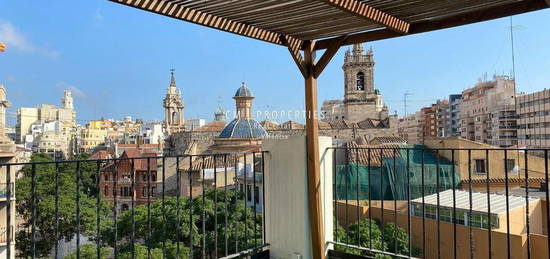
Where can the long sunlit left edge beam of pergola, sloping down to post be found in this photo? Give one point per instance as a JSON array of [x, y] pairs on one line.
[[174, 10]]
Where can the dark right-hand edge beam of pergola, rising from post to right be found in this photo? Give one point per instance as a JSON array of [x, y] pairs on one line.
[[448, 22]]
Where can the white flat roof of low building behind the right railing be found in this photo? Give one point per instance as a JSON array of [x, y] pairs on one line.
[[479, 204]]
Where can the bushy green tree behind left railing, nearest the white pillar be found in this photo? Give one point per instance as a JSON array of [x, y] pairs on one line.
[[243, 229]]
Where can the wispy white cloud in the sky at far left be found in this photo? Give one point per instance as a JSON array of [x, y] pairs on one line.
[[15, 39]]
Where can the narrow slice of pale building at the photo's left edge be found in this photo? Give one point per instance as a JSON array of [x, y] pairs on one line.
[[7, 189]]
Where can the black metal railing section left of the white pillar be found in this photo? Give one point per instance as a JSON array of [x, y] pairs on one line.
[[192, 210]]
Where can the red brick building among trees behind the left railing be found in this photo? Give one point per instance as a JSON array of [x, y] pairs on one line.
[[116, 178]]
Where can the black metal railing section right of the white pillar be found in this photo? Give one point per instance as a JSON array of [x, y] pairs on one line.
[[412, 202]]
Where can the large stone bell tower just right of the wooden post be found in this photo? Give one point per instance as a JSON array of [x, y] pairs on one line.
[[361, 100]]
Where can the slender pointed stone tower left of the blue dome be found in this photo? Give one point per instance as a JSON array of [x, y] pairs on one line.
[[173, 108]]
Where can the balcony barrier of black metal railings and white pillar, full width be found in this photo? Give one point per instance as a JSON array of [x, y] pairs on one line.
[[386, 200]]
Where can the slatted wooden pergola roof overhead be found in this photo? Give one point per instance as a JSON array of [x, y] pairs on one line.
[[291, 22]]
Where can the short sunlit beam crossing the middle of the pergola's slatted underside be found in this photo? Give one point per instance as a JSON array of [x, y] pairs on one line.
[[371, 14]]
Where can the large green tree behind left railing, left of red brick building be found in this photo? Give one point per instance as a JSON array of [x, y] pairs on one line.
[[45, 180]]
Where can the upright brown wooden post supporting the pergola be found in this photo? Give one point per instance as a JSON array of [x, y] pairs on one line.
[[313, 166]]
